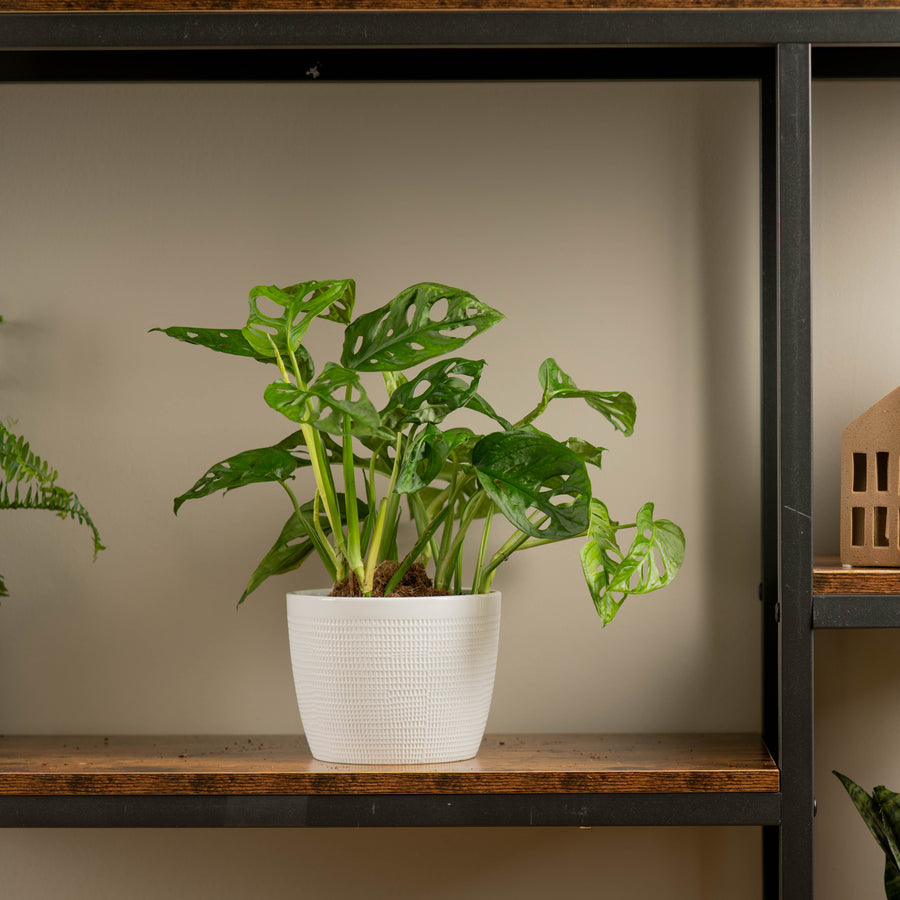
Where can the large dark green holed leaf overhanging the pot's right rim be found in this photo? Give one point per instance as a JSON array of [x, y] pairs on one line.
[[526, 471]]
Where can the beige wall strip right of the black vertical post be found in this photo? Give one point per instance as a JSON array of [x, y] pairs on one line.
[[856, 320]]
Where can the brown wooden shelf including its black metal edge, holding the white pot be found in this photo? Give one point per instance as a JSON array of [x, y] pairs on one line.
[[273, 780]]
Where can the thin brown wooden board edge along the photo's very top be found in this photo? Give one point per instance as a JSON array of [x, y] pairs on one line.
[[195, 6]]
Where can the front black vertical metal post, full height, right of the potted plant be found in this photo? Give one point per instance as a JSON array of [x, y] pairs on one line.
[[794, 599]]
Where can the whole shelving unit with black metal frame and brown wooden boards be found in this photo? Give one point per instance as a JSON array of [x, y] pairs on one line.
[[516, 780]]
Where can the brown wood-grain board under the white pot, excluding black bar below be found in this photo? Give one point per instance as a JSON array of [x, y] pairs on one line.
[[624, 763]]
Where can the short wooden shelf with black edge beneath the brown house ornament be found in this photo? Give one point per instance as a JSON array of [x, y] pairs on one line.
[[855, 597]]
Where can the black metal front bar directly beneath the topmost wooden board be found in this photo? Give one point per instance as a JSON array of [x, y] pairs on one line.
[[449, 28]]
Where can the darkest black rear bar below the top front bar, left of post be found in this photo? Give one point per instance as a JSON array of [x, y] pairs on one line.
[[413, 64]]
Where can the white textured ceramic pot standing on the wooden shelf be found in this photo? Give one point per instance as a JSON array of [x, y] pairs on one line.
[[393, 680]]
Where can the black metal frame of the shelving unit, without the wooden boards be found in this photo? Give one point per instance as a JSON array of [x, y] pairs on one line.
[[773, 47]]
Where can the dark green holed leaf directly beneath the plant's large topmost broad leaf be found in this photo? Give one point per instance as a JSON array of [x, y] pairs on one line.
[[434, 393]]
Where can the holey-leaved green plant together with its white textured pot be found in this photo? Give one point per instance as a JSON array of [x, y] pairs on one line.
[[367, 463]]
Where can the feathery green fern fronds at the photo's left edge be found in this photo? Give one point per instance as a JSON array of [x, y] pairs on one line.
[[28, 482]]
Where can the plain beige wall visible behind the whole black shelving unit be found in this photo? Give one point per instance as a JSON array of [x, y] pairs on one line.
[[616, 226]]
